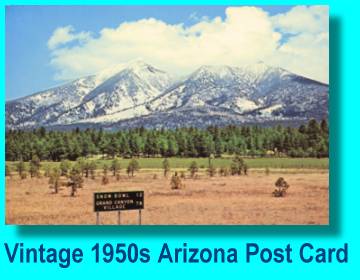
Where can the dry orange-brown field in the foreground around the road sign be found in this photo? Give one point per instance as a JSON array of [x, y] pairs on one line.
[[219, 200]]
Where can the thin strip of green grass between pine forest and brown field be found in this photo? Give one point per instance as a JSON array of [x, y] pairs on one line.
[[181, 163]]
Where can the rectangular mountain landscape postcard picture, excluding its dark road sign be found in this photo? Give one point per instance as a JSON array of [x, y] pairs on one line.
[[192, 105]]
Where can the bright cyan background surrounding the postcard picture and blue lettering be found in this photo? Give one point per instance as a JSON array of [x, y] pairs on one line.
[[344, 192]]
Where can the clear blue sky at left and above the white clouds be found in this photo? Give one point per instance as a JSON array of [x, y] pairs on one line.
[[28, 29]]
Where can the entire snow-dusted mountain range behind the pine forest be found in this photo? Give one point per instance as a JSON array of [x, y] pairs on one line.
[[141, 95]]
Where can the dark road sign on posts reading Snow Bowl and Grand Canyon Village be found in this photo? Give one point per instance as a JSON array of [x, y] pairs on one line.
[[118, 201]]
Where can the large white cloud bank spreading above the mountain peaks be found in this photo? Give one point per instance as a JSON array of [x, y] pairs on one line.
[[244, 36]]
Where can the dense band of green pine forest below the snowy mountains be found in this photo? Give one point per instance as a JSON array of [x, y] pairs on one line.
[[307, 140]]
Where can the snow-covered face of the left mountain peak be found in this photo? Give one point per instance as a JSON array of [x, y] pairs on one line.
[[132, 86]]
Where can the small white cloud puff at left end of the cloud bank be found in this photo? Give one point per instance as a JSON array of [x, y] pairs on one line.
[[64, 35]]
